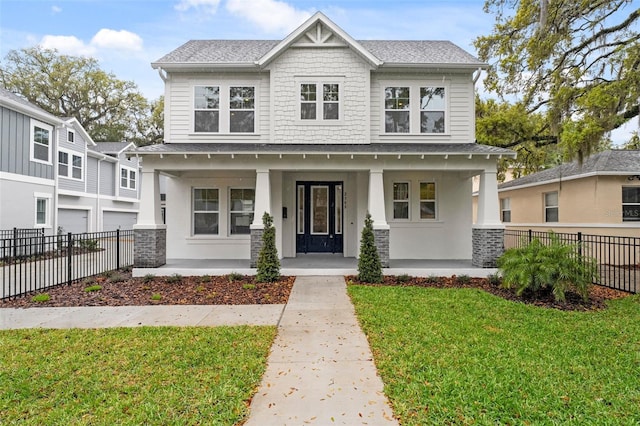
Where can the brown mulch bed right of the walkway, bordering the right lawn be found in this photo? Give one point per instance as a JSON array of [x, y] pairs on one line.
[[598, 295]]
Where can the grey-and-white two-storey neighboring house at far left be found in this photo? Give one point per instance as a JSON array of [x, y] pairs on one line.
[[54, 176]]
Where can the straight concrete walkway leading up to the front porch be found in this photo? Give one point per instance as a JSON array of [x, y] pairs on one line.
[[320, 370]]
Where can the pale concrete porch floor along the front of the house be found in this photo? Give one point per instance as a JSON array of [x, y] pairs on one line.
[[316, 264]]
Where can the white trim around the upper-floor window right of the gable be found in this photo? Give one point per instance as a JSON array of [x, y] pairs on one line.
[[415, 105]]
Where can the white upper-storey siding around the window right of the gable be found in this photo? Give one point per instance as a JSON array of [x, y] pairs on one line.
[[461, 118]]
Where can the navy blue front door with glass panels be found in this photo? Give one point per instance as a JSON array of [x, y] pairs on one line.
[[319, 211]]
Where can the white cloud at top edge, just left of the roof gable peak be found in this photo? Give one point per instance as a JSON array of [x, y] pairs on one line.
[[272, 16]]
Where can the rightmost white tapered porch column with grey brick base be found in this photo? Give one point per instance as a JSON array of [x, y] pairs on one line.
[[488, 232]]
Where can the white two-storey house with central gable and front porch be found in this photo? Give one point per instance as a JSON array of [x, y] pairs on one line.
[[318, 129]]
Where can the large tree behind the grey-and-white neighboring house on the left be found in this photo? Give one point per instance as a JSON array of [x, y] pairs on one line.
[[67, 86]]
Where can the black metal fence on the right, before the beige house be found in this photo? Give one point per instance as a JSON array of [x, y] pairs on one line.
[[618, 258]]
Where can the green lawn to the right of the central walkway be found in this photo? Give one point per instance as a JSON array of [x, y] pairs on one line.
[[463, 356]]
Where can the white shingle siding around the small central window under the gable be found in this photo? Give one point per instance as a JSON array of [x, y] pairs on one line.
[[316, 64]]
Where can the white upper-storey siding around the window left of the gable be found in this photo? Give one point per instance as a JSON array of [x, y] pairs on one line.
[[179, 106]]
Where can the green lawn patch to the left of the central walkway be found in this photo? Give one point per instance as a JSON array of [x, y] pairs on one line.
[[131, 376]]
